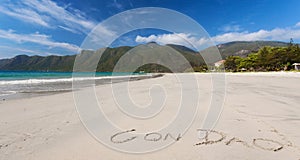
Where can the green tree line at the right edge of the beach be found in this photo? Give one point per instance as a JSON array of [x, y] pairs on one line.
[[266, 59]]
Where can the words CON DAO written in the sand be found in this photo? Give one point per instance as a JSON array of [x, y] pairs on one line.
[[211, 137]]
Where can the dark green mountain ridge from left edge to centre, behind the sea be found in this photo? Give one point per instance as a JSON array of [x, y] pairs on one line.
[[106, 64]]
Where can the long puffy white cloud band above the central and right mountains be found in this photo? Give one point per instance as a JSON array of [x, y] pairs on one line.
[[277, 34]]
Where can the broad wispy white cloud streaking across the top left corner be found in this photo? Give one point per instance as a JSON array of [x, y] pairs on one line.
[[49, 14]]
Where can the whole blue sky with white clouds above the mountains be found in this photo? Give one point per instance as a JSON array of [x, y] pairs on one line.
[[50, 27]]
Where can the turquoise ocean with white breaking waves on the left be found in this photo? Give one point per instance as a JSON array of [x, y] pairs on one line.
[[27, 84]]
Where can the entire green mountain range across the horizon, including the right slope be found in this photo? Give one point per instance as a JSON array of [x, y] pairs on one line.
[[112, 55]]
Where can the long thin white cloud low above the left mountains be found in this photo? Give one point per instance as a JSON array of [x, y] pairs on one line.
[[37, 38]]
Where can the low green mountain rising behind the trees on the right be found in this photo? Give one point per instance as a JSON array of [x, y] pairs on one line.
[[243, 48]]
